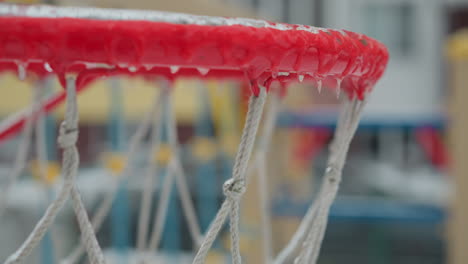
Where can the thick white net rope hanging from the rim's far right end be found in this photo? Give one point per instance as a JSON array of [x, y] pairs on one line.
[[309, 236]]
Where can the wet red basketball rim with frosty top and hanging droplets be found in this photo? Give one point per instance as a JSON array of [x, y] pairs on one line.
[[96, 42]]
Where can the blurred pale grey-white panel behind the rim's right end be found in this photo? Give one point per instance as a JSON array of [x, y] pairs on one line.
[[412, 30]]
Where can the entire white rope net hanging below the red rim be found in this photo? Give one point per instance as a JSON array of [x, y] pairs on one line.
[[304, 246]]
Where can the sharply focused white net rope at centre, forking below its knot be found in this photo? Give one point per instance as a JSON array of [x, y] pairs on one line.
[[235, 187]]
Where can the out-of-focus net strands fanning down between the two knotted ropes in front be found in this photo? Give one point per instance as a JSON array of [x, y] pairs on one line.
[[175, 170]]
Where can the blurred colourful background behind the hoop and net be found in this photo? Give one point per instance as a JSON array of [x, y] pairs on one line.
[[404, 195]]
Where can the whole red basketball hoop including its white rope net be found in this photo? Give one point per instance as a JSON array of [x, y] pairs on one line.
[[80, 45]]
